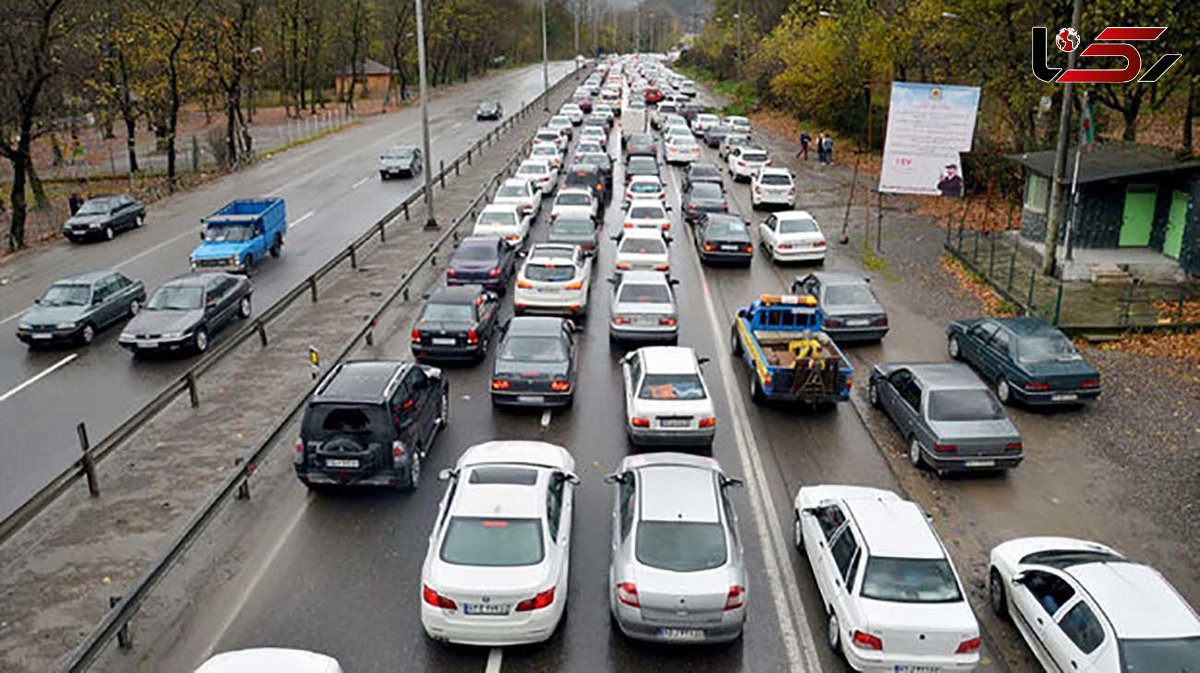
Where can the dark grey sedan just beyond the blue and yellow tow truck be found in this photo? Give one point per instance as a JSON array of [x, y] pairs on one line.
[[851, 310]]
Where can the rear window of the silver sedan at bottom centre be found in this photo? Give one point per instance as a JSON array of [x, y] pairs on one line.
[[681, 546]]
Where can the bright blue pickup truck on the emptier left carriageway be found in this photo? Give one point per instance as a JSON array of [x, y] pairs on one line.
[[241, 236]]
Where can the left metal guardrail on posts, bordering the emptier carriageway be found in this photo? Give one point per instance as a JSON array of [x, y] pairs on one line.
[[188, 381]]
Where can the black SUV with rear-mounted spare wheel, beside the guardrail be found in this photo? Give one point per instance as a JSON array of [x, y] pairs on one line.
[[373, 423]]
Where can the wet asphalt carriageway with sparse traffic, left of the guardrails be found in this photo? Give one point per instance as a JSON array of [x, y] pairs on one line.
[[333, 194]]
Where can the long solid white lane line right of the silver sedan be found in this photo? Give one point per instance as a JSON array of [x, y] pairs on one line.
[[784, 588]]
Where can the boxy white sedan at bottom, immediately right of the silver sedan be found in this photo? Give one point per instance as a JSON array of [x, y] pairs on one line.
[[892, 594]]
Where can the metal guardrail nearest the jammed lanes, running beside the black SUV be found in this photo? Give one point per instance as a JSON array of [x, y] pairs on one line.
[[116, 623]]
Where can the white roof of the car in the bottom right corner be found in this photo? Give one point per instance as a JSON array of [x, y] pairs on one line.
[[1138, 602]]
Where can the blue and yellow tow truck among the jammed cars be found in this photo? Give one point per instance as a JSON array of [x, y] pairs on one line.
[[790, 357]]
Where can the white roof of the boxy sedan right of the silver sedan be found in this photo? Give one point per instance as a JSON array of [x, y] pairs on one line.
[[895, 528]]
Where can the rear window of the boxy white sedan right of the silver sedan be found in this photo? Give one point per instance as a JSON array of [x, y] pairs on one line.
[[910, 581]]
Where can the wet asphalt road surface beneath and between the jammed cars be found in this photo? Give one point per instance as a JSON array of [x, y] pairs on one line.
[[341, 574]]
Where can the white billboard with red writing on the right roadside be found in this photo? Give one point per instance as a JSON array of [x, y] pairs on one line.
[[929, 125]]
